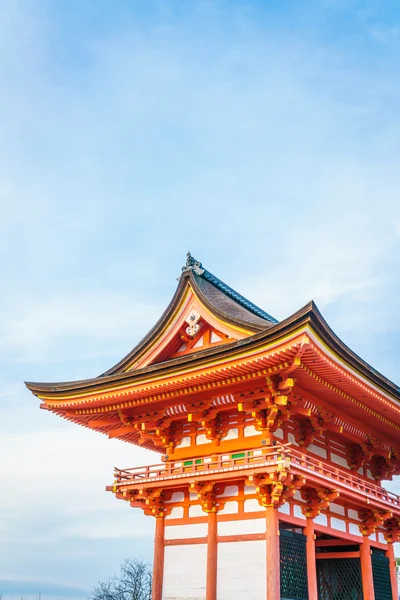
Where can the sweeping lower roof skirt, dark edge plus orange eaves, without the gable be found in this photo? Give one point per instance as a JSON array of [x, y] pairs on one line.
[[327, 369]]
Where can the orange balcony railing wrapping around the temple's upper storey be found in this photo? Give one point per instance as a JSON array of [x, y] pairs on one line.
[[268, 458]]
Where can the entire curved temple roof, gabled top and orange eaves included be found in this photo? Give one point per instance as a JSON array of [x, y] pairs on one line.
[[252, 340]]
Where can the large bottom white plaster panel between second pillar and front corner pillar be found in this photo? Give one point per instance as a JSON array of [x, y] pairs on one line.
[[242, 570]]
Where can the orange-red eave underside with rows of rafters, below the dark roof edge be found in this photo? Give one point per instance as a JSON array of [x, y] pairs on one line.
[[361, 407]]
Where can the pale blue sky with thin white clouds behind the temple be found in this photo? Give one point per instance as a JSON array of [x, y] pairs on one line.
[[263, 136]]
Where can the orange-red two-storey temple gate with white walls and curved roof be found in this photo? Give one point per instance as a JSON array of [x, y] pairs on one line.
[[274, 443]]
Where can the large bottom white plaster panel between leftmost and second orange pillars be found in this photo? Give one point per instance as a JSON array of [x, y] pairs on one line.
[[185, 572]]
